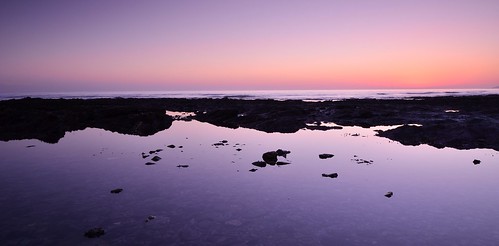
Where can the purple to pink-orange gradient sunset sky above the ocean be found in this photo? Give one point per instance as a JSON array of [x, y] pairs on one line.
[[108, 45]]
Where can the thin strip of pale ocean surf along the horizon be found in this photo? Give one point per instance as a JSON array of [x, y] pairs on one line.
[[306, 95]]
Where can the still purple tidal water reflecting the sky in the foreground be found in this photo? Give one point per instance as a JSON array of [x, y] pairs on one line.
[[52, 194]]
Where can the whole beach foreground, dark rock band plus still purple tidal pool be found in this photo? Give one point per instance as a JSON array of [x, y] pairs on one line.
[[249, 172]]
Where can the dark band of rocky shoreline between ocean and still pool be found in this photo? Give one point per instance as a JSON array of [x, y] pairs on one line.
[[458, 122]]
